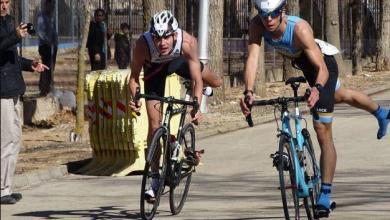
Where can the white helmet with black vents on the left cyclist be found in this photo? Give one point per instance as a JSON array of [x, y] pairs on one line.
[[163, 23]]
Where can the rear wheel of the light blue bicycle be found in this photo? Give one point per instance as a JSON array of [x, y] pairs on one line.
[[312, 176]]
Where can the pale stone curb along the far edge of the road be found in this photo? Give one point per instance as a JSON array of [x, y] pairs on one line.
[[37, 177]]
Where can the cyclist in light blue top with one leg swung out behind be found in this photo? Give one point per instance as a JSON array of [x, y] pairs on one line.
[[293, 37]]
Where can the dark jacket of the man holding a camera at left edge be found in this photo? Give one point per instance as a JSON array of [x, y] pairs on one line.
[[11, 64]]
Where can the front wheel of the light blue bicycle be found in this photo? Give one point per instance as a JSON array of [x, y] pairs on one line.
[[287, 180]]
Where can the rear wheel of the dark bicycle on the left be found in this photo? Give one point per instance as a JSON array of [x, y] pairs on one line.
[[182, 171]]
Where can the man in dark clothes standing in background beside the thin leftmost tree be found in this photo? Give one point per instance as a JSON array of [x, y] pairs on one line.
[[48, 42]]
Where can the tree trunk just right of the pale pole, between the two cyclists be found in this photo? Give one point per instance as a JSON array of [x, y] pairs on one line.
[[215, 44]]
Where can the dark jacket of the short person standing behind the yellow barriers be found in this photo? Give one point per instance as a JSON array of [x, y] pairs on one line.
[[122, 50]]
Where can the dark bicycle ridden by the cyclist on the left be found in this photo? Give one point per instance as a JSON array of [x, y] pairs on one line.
[[176, 156]]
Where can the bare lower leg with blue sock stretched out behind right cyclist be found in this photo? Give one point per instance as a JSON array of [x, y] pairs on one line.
[[360, 100]]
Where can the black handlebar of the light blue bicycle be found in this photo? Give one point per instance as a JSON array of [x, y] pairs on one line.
[[281, 101]]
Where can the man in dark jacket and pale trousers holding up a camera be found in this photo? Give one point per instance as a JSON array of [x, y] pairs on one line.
[[12, 87]]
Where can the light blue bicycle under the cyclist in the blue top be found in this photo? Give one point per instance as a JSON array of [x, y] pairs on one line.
[[299, 173]]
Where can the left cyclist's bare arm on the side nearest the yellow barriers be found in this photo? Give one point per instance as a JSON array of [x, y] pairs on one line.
[[140, 52]]
